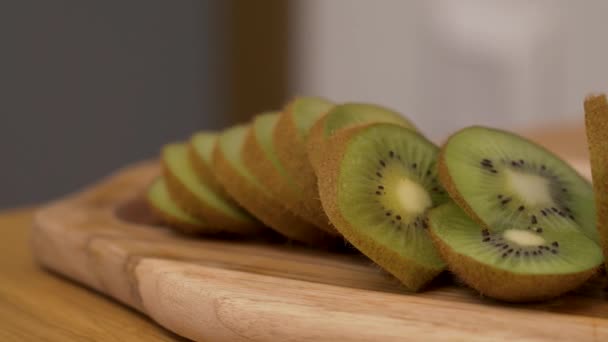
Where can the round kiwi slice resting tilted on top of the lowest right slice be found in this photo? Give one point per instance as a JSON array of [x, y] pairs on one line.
[[503, 180]]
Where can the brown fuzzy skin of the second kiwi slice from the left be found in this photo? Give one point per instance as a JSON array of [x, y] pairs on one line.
[[192, 205]]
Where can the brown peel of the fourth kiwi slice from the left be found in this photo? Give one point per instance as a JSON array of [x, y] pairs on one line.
[[256, 200]]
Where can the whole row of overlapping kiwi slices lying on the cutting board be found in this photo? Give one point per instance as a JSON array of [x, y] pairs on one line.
[[508, 217]]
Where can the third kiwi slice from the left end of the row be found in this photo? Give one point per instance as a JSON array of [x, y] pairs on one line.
[[200, 150]]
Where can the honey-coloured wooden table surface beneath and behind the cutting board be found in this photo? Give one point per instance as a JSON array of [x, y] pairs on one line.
[[38, 305]]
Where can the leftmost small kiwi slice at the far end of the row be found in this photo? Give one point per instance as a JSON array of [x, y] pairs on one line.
[[165, 208]]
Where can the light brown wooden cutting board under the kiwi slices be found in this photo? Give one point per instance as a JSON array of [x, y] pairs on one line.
[[215, 290]]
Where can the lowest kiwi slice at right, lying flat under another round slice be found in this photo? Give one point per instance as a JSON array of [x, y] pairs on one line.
[[511, 263]]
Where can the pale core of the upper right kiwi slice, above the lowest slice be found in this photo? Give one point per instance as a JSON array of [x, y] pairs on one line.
[[533, 190]]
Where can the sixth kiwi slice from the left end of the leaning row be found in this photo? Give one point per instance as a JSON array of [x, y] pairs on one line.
[[289, 141]]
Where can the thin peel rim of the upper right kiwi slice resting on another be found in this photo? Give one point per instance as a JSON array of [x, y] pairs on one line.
[[448, 184]]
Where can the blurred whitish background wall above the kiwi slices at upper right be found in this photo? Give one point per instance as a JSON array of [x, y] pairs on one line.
[[448, 64]]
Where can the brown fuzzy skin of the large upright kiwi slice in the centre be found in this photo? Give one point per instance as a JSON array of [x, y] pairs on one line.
[[413, 276]]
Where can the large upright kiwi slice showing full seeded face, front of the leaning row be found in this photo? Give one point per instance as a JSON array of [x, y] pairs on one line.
[[377, 183]]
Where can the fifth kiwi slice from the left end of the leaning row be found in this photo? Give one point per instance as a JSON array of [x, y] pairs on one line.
[[260, 157]]
